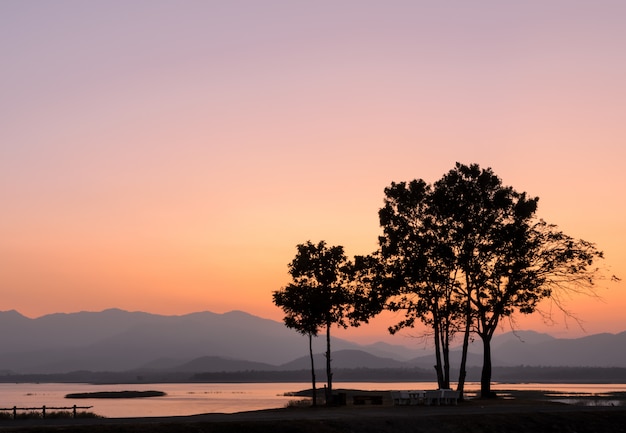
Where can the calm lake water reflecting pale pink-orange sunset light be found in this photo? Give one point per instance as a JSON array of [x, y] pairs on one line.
[[196, 398]]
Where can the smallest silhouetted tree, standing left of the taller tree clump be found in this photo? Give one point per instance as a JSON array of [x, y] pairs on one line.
[[320, 292]]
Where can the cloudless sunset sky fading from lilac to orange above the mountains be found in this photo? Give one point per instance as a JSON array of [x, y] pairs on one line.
[[168, 156]]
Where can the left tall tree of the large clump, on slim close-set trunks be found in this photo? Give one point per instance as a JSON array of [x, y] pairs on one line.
[[420, 261]]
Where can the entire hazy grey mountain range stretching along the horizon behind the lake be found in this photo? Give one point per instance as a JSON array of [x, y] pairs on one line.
[[117, 340]]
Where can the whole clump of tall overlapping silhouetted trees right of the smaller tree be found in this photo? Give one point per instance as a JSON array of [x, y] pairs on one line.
[[467, 252]]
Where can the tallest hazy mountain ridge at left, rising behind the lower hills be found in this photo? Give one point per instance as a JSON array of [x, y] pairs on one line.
[[117, 340]]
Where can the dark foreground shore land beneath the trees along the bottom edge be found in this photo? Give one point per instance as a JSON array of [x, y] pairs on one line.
[[475, 416]]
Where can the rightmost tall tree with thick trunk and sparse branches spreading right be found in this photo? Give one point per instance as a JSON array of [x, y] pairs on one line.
[[510, 260]]
